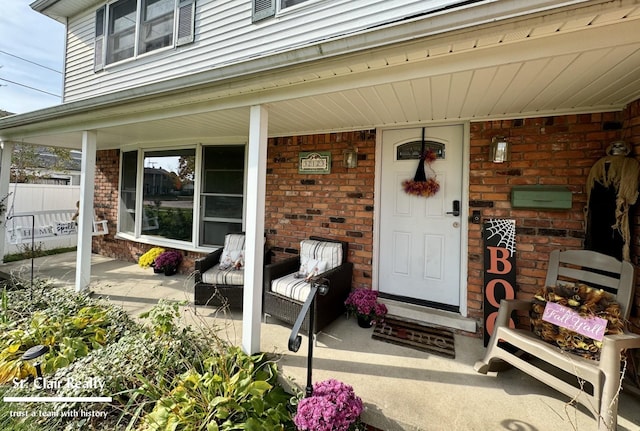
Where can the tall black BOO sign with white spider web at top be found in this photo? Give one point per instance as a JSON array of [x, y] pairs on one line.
[[499, 269]]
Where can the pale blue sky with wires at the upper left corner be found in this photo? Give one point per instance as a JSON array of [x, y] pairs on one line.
[[29, 41]]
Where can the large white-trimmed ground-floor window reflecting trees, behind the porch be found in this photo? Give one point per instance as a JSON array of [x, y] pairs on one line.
[[157, 194]]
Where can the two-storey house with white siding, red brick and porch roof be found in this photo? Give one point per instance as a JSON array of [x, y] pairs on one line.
[[245, 88]]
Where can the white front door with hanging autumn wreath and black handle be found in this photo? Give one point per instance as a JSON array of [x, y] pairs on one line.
[[420, 236]]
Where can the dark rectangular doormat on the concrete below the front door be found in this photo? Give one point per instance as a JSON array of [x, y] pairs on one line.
[[431, 339]]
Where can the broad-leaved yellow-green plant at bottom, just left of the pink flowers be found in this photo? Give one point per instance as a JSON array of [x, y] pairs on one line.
[[236, 391]]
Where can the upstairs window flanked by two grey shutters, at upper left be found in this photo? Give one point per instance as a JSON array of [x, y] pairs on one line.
[[135, 27]]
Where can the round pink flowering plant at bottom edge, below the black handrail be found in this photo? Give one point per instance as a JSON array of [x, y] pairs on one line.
[[334, 406]]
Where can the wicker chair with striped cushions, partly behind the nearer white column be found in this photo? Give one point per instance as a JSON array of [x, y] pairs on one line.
[[217, 287]]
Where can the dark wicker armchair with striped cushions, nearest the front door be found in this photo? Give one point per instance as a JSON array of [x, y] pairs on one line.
[[284, 293]]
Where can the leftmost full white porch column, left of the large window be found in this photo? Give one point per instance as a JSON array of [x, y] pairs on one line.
[[85, 220]]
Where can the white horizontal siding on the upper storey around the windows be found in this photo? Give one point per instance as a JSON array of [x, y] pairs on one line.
[[224, 35]]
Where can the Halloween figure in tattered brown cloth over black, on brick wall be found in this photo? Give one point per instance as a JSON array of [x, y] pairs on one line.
[[612, 190]]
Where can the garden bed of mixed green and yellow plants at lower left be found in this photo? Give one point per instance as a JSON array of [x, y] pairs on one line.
[[159, 374]]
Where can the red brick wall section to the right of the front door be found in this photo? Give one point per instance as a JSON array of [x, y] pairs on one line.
[[552, 151]]
